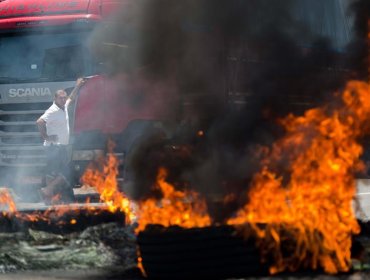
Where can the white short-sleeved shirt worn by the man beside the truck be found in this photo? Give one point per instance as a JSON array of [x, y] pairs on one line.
[[57, 123]]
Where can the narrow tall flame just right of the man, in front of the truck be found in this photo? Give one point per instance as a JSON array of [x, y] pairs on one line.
[[105, 181]]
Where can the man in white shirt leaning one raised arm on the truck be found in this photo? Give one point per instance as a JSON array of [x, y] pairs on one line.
[[53, 126]]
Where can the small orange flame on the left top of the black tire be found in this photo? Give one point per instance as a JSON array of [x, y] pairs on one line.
[[182, 208]]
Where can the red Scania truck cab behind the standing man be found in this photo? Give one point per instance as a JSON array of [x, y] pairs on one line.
[[44, 47]]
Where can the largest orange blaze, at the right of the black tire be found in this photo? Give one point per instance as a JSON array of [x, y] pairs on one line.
[[306, 187]]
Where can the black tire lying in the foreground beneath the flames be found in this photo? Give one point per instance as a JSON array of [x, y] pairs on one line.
[[213, 252]]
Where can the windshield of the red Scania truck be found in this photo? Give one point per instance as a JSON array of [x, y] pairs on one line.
[[29, 57]]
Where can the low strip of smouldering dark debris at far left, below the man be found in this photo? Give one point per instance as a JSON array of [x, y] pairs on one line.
[[56, 219]]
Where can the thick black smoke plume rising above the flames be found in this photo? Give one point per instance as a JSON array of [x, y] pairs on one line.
[[241, 65]]
